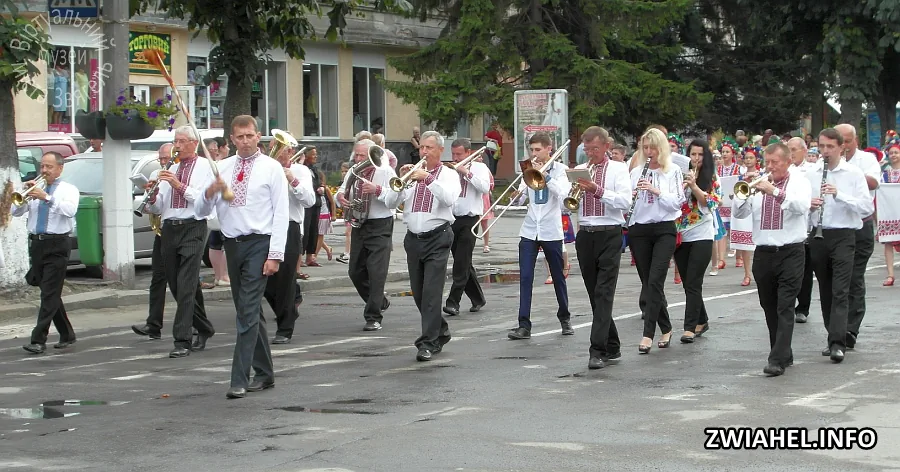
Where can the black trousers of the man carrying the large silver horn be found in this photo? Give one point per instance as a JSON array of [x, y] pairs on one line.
[[370, 255]]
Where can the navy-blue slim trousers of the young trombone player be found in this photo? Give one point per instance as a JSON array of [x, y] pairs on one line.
[[527, 258]]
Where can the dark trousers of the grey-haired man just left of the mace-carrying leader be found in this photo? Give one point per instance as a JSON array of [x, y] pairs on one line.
[[182, 249]]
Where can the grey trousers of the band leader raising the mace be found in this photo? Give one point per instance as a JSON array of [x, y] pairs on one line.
[[246, 258]]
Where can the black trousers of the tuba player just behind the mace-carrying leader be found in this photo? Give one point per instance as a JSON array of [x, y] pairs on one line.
[[281, 288]]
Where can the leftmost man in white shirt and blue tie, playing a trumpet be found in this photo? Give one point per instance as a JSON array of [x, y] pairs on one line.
[[51, 211]]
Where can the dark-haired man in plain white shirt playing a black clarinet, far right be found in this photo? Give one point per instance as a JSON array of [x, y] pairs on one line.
[[841, 202]]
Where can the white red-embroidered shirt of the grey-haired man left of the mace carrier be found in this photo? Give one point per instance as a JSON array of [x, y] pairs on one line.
[[196, 175]]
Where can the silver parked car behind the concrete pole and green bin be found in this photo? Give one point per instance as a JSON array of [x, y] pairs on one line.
[[85, 171]]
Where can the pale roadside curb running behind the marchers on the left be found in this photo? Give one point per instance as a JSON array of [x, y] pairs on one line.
[[109, 298]]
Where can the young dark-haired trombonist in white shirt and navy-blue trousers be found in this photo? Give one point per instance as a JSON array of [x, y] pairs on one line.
[[542, 228]]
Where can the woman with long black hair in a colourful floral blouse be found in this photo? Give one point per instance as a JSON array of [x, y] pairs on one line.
[[697, 227]]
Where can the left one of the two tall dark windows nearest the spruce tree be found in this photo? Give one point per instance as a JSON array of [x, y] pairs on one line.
[[320, 100]]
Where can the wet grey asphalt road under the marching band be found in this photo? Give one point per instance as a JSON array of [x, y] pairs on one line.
[[346, 400]]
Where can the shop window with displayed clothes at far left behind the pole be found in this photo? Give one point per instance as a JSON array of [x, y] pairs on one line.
[[73, 85]]
